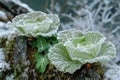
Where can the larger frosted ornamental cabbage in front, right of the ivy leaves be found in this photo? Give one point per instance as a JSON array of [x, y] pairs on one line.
[[76, 48]]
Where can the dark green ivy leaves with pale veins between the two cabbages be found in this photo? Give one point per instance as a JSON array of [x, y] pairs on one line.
[[42, 45]]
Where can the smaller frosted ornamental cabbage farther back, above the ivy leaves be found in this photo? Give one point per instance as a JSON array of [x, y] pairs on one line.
[[34, 24]]
